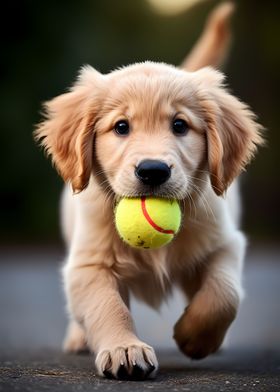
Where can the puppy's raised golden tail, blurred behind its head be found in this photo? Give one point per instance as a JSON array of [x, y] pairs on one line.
[[213, 45]]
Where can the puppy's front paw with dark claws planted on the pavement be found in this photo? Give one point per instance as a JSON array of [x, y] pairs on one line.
[[134, 362]]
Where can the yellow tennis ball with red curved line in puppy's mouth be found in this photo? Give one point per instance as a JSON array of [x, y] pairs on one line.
[[147, 222]]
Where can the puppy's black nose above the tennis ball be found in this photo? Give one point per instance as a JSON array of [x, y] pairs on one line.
[[152, 172]]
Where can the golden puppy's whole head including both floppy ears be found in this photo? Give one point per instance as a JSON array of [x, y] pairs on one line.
[[149, 129]]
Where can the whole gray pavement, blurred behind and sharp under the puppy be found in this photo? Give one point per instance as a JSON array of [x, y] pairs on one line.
[[32, 324]]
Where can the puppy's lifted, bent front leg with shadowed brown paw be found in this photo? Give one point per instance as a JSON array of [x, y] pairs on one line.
[[214, 298]]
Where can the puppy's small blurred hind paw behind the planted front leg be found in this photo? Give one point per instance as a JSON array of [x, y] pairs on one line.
[[75, 340]]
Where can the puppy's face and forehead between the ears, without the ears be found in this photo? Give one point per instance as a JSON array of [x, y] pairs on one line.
[[150, 137]]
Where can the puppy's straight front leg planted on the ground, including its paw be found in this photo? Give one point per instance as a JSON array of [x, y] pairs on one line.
[[95, 300]]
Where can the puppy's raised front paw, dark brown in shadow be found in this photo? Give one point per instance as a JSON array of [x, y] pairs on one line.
[[198, 337]]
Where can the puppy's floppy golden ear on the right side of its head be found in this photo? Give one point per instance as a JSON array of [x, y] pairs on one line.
[[232, 133]]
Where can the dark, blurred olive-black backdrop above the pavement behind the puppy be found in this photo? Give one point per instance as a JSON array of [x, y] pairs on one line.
[[45, 42]]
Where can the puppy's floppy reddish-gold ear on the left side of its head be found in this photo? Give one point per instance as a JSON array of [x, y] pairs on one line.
[[67, 131]]
